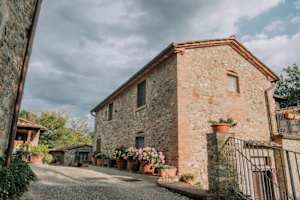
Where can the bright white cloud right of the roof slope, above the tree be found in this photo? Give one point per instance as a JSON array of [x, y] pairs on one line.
[[277, 51]]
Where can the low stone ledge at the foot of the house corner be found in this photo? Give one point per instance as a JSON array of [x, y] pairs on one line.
[[185, 189]]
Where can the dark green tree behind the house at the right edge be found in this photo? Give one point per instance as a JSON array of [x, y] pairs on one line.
[[289, 85]]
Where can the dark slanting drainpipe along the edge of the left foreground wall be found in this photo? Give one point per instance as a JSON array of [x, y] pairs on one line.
[[24, 69]]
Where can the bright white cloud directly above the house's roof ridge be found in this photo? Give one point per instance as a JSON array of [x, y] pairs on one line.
[[221, 20]]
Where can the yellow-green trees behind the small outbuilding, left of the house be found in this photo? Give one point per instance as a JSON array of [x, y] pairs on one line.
[[62, 130]]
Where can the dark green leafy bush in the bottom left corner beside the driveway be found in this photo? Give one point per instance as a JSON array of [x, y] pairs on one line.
[[15, 180]]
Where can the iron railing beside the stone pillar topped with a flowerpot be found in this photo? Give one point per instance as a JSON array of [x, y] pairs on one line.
[[258, 171]]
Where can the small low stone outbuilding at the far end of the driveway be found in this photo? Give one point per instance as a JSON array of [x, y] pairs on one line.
[[75, 155]]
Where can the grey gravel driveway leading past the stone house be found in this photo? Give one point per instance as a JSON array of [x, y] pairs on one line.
[[95, 183]]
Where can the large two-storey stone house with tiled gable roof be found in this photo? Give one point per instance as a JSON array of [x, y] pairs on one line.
[[168, 103]]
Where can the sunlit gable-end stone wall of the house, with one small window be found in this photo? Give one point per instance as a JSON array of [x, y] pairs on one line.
[[203, 96]]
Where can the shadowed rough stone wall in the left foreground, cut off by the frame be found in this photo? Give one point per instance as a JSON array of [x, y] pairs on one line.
[[15, 22]]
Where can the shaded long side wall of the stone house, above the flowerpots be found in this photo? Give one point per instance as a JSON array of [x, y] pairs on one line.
[[157, 121]]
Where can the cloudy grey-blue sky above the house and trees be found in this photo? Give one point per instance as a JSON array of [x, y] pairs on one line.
[[84, 49]]
